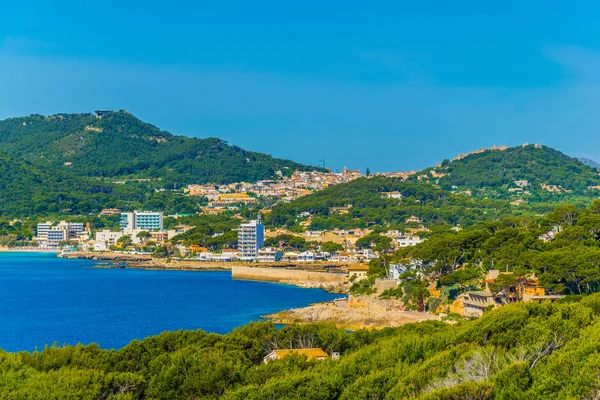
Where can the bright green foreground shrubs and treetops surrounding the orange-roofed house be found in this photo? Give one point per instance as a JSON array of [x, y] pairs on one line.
[[521, 351]]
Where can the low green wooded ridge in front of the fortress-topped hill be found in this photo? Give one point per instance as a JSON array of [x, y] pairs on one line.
[[370, 208]]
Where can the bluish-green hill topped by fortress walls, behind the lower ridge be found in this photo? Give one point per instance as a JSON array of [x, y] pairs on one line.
[[496, 168]]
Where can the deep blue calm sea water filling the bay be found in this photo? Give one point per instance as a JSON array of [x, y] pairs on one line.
[[44, 299]]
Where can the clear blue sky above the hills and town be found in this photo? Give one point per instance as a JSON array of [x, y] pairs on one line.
[[388, 85]]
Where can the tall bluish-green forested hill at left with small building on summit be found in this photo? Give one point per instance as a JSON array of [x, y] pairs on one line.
[[118, 144]]
